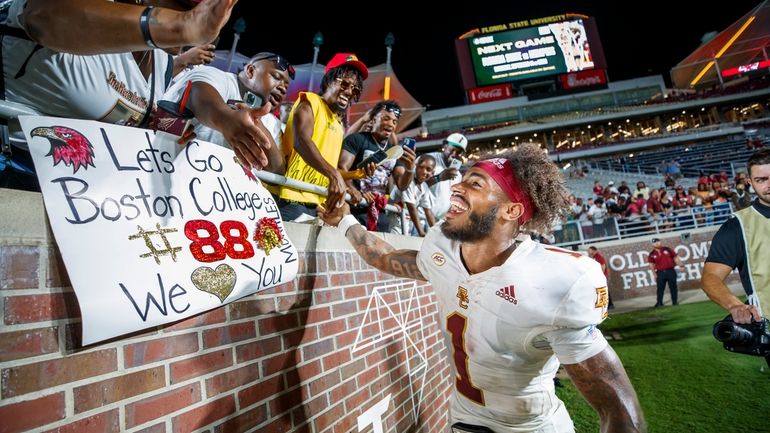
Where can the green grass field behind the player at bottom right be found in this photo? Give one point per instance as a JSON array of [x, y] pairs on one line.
[[686, 381]]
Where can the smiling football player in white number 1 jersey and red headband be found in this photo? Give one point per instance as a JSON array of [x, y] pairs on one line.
[[509, 319]]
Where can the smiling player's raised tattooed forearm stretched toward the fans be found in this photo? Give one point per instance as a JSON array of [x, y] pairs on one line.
[[380, 254]]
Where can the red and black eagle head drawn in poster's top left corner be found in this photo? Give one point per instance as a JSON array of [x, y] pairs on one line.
[[67, 146]]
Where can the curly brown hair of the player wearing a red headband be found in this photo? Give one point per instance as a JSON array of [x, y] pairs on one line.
[[542, 180]]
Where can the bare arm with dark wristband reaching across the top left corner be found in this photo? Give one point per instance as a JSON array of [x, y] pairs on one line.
[[97, 26]]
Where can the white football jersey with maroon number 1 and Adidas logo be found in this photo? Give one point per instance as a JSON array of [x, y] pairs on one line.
[[507, 329]]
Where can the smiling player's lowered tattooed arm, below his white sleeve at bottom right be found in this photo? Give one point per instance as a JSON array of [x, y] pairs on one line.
[[603, 382]]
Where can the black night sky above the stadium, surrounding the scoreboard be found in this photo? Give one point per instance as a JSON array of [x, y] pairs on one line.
[[639, 38]]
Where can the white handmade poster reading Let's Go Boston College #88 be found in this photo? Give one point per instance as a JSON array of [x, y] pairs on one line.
[[152, 232]]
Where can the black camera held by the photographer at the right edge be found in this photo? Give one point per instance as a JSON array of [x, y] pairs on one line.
[[750, 339]]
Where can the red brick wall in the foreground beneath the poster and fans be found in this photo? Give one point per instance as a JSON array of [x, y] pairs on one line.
[[309, 356]]
